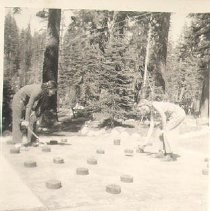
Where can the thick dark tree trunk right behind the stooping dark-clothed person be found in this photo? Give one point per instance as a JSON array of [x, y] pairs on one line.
[[50, 66]]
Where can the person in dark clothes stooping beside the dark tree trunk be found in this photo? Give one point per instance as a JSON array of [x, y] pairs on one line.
[[26, 107]]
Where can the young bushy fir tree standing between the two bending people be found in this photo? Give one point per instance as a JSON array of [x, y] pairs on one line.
[[115, 82]]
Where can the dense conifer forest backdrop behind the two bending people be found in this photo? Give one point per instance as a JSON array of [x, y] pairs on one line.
[[103, 58]]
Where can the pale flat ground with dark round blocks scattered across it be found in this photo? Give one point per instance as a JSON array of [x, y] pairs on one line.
[[157, 184]]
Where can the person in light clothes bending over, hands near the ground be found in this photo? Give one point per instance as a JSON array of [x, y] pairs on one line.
[[171, 116]]
